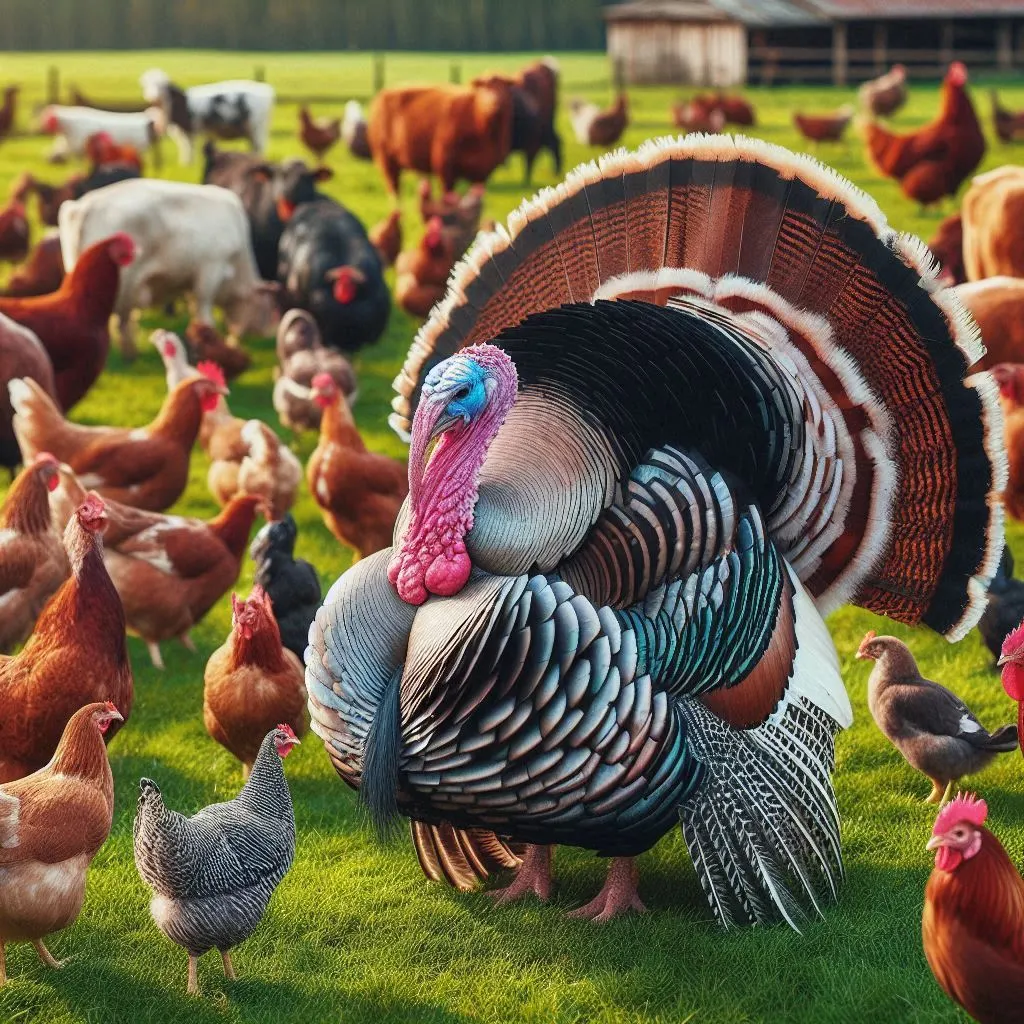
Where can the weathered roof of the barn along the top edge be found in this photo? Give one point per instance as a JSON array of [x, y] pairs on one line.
[[795, 13]]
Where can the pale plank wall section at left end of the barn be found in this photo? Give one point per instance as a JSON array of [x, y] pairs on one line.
[[660, 53]]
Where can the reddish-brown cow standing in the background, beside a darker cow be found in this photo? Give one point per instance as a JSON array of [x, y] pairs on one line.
[[452, 132]]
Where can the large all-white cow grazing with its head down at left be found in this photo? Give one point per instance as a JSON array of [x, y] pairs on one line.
[[190, 240]]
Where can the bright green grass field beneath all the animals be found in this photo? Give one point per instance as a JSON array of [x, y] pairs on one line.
[[355, 933]]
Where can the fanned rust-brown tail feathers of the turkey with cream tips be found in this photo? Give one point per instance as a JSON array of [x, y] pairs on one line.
[[747, 231]]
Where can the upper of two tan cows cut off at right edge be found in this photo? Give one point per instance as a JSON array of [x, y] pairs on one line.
[[993, 214]]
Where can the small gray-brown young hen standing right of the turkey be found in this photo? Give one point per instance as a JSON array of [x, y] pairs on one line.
[[931, 727]]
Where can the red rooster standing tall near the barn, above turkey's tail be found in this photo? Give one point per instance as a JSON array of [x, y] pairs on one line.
[[933, 162]]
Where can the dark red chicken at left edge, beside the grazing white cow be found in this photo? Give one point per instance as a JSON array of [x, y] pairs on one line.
[[72, 323]]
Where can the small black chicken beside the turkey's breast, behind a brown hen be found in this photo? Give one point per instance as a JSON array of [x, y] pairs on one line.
[[291, 583]]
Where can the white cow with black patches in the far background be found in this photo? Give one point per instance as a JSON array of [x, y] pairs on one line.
[[225, 110]]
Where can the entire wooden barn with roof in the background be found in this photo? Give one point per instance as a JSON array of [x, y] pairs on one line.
[[729, 42]]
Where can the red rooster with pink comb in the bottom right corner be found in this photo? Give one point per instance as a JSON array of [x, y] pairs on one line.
[[973, 927]]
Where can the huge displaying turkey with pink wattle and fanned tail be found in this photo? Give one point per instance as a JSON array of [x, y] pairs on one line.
[[705, 348]]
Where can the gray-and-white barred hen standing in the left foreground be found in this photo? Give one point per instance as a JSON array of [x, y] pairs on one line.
[[214, 875]]
